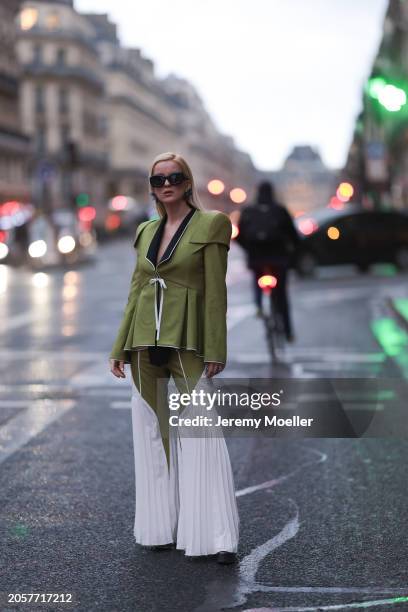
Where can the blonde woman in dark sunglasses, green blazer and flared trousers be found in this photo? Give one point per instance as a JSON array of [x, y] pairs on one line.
[[174, 325]]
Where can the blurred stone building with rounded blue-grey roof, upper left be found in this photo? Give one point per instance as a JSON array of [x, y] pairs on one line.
[[62, 104]]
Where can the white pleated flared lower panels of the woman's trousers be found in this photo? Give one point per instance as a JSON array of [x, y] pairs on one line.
[[193, 503]]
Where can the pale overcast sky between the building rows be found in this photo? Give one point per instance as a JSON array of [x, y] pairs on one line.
[[272, 73]]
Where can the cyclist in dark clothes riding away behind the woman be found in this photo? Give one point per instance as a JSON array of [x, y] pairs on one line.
[[269, 236]]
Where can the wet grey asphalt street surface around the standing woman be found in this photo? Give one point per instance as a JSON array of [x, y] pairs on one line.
[[323, 521]]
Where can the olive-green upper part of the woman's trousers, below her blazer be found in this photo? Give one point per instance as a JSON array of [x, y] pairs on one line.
[[152, 382]]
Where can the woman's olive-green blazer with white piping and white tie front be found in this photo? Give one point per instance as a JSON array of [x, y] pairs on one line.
[[181, 301]]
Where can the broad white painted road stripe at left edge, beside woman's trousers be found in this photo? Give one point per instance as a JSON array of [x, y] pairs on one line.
[[27, 424]]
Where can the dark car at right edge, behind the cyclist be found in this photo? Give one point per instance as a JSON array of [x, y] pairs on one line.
[[352, 235]]
